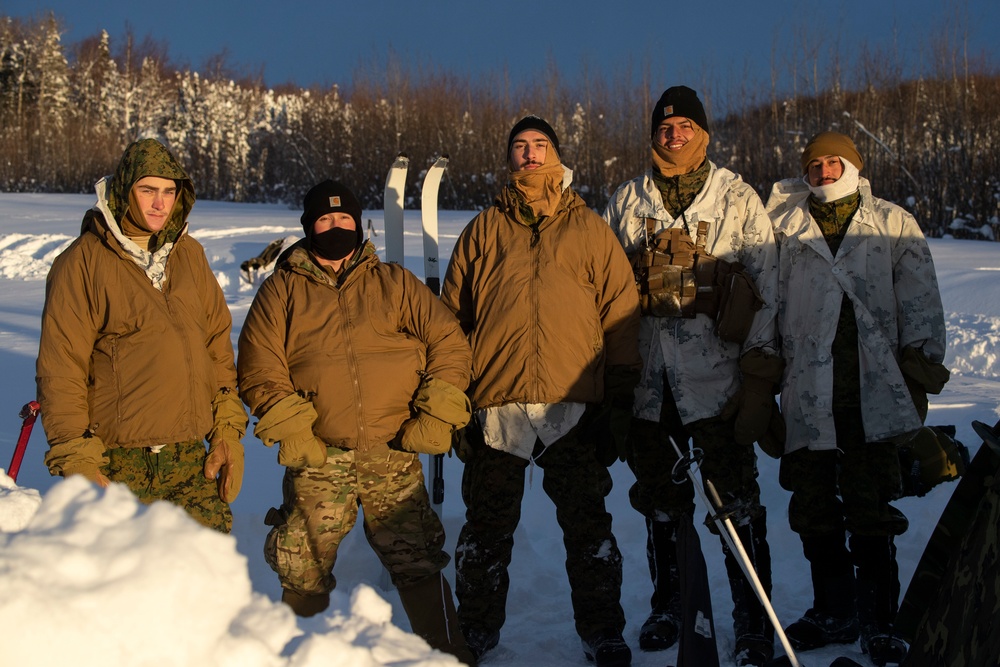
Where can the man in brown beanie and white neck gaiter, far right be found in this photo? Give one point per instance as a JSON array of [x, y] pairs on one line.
[[863, 334]]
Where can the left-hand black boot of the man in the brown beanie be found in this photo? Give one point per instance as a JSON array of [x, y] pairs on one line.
[[833, 617]]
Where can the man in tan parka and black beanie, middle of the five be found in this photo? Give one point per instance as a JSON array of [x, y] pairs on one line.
[[544, 290]]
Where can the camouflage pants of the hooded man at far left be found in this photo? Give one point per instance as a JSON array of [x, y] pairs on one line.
[[174, 474]]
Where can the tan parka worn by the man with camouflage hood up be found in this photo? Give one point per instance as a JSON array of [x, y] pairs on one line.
[[134, 365]]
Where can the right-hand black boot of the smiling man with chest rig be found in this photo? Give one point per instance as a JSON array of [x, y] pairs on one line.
[[753, 630]]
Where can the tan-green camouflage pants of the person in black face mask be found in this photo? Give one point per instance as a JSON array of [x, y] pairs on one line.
[[320, 507]]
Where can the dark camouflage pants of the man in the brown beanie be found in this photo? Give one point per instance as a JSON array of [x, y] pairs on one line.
[[844, 489]]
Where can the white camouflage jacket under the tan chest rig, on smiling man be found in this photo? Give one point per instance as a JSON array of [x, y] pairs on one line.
[[703, 371]]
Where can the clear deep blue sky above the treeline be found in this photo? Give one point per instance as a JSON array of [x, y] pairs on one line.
[[698, 43]]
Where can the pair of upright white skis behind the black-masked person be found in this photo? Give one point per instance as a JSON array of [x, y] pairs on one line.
[[394, 205]]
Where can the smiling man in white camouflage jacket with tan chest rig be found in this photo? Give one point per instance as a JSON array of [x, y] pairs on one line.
[[699, 382]]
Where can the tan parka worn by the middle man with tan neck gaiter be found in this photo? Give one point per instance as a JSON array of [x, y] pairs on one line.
[[547, 309]]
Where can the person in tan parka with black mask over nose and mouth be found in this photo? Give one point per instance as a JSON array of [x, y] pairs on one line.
[[355, 368]]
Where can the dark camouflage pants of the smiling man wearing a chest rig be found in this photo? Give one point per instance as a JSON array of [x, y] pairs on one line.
[[732, 468]]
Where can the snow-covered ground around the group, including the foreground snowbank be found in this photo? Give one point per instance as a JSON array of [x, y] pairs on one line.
[[90, 577]]
